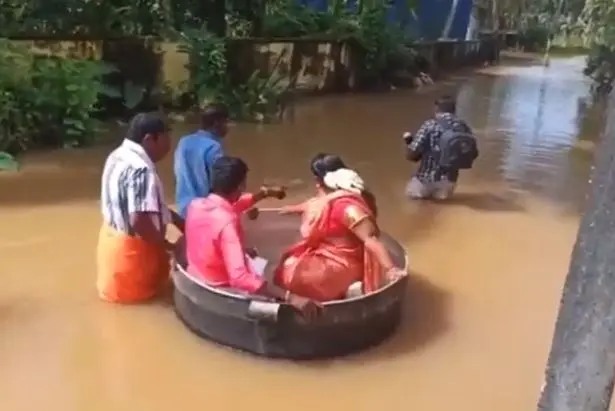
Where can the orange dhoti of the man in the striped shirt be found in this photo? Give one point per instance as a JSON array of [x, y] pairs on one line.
[[130, 269]]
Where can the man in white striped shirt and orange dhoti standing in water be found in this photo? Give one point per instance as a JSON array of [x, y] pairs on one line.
[[133, 260]]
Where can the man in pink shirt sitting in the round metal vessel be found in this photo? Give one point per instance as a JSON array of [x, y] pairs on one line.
[[214, 238]]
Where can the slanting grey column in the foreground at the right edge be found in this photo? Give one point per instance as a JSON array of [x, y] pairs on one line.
[[581, 366]]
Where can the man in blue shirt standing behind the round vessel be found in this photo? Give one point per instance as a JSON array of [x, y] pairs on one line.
[[195, 155]]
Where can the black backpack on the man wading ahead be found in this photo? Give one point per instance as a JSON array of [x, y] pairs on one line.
[[457, 146]]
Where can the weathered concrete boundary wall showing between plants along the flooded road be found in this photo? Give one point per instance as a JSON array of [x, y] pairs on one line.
[[302, 64]]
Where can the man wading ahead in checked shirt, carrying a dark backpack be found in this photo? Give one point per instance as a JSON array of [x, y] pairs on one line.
[[444, 145]]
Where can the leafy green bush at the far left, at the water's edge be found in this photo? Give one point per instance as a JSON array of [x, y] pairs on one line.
[[46, 101]]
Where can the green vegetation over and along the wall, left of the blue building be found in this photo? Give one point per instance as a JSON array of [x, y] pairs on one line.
[[54, 100]]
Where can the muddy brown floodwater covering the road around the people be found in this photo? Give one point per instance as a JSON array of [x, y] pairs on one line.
[[488, 267]]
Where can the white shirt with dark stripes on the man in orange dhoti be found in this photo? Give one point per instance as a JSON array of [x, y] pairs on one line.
[[130, 184]]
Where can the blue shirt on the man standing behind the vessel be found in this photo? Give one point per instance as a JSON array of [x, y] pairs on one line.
[[194, 157]]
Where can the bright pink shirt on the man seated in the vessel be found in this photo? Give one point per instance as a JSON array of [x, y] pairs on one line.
[[214, 243]]
